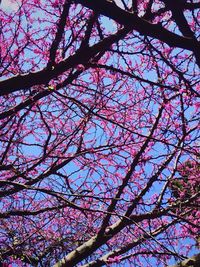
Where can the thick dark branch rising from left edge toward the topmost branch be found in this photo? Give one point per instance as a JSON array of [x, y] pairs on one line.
[[82, 56]]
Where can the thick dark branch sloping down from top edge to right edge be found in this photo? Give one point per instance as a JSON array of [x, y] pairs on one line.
[[143, 26]]
